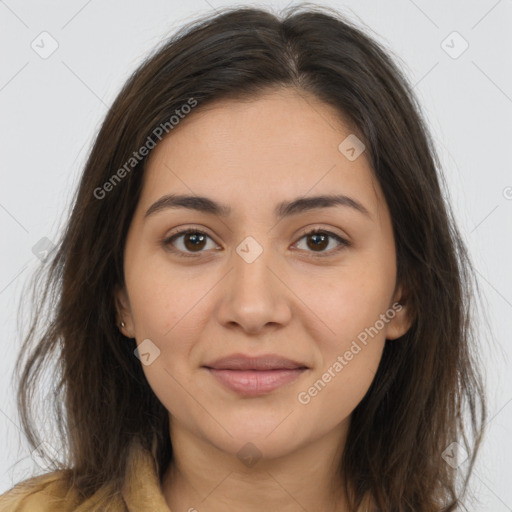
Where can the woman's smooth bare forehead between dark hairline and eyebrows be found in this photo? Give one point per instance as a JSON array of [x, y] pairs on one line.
[[277, 145]]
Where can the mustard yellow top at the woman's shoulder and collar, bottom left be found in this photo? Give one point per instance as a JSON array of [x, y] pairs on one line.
[[46, 493]]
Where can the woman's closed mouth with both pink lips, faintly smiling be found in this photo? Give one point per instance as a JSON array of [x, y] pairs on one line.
[[255, 376]]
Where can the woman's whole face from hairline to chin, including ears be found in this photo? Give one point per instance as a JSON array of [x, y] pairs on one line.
[[255, 283]]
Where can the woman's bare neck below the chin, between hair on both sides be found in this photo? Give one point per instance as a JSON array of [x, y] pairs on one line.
[[201, 477]]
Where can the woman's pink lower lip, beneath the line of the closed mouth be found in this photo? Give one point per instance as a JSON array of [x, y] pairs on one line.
[[255, 382]]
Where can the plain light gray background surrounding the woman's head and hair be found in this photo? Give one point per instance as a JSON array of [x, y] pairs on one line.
[[52, 108]]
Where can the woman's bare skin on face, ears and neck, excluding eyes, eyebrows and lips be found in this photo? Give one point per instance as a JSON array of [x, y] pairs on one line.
[[252, 155]]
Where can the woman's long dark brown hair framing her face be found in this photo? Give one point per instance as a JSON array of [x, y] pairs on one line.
[[427, 392]]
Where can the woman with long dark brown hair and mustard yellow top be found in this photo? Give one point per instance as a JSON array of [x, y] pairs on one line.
[[261, 297]]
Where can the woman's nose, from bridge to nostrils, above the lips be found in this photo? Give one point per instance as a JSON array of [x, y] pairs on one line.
[[255, 296]]
